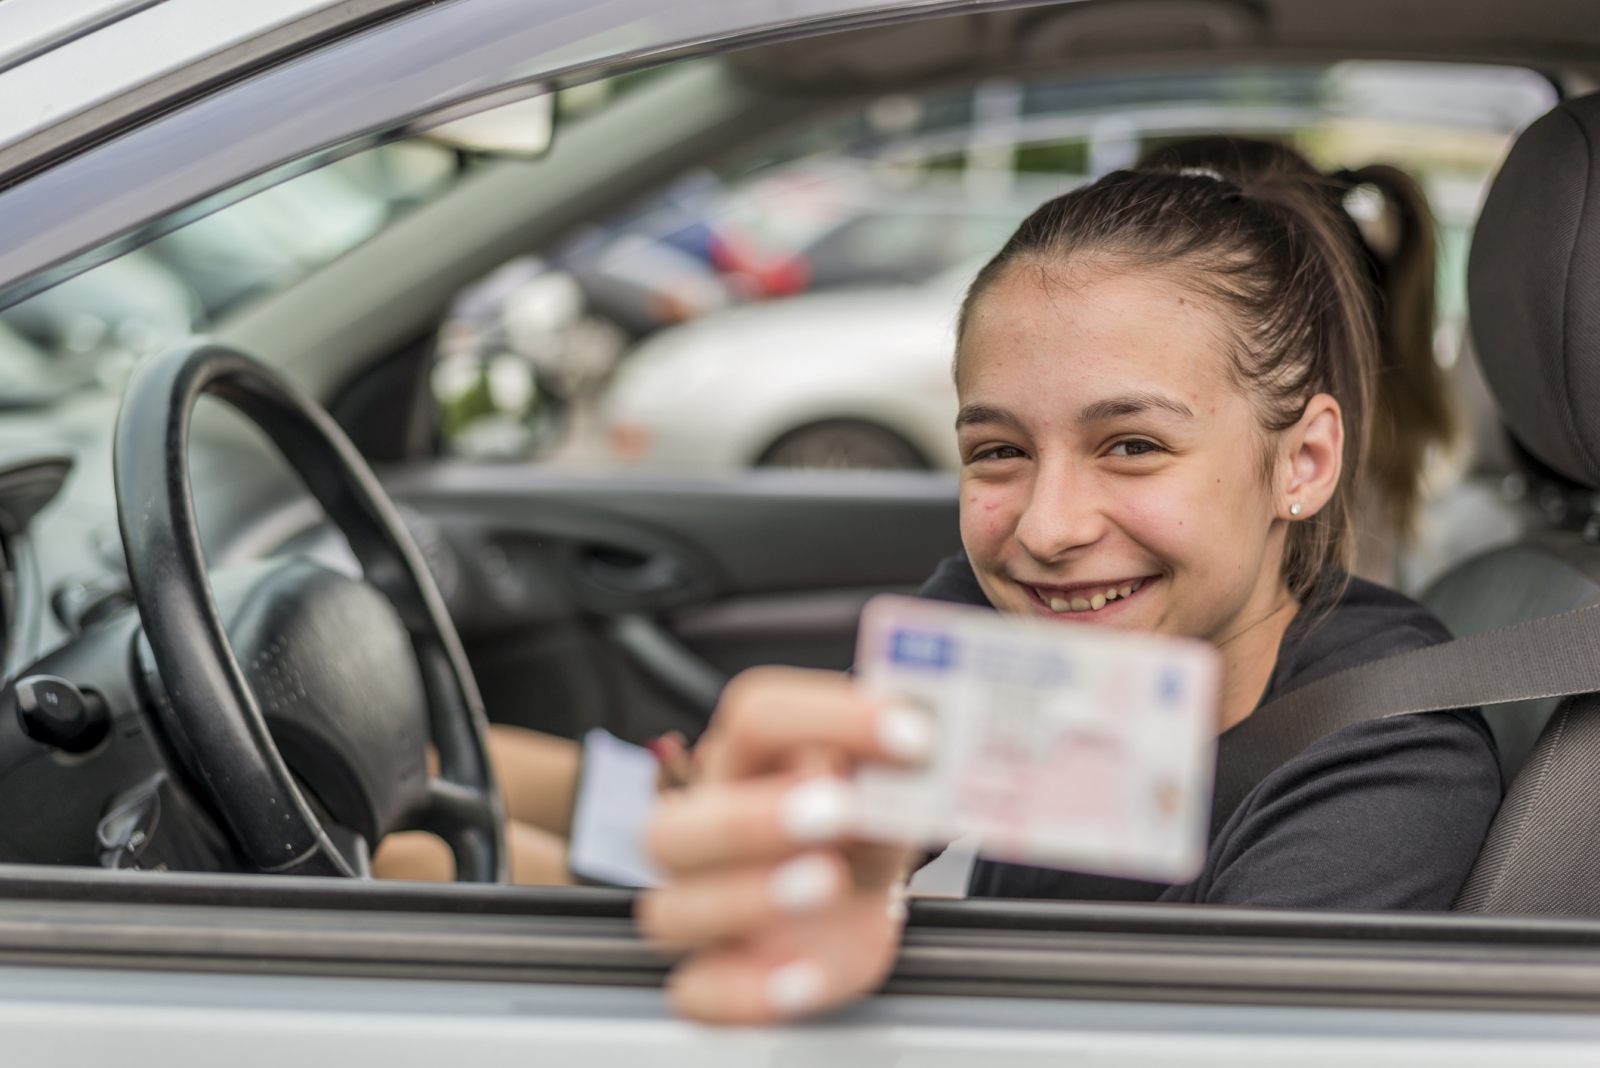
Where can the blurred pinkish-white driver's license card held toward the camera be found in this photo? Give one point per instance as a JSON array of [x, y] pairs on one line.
[[1062, 744]]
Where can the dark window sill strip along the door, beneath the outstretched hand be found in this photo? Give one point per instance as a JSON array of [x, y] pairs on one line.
[[993, 949]]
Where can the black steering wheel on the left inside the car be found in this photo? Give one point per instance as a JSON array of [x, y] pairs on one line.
[[356, 674]]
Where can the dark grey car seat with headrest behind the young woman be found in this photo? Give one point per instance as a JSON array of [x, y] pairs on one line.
[[1534, 287]]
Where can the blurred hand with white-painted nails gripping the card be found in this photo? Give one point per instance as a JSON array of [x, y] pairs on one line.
[[783, 914]]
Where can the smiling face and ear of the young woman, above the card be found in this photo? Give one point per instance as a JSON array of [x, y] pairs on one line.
[[1113, 468]]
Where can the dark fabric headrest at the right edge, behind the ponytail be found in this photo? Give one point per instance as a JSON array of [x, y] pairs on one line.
[[1534, 289]]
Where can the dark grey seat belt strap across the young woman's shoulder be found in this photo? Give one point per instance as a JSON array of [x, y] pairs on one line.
[[1558, 656]]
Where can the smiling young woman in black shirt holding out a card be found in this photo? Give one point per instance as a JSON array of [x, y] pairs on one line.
[[1164, 388]]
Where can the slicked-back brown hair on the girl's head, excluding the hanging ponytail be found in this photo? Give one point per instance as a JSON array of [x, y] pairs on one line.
[[1279, 253]]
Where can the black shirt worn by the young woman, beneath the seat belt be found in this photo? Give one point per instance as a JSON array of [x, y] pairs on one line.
[[1380, 815]]
